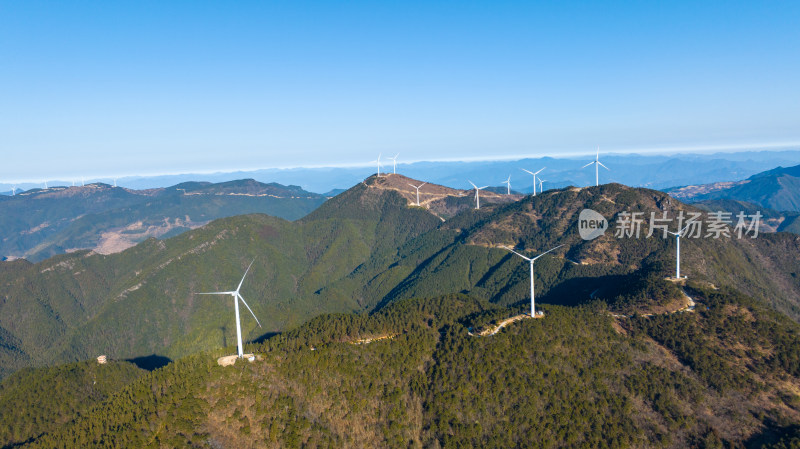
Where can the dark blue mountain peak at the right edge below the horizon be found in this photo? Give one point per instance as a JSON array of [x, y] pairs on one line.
[[777, 189]]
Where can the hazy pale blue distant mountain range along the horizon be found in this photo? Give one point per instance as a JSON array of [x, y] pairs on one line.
[[652, 171]]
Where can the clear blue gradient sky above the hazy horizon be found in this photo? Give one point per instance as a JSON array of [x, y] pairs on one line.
[[138, 87]]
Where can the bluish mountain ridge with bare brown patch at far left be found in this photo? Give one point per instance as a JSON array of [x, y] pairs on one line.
[[40, 223]]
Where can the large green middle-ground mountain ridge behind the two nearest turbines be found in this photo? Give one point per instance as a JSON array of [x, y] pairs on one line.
[[360, 251]]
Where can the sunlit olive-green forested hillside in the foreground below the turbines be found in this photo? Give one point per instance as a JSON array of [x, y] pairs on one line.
[[723, 376]]
